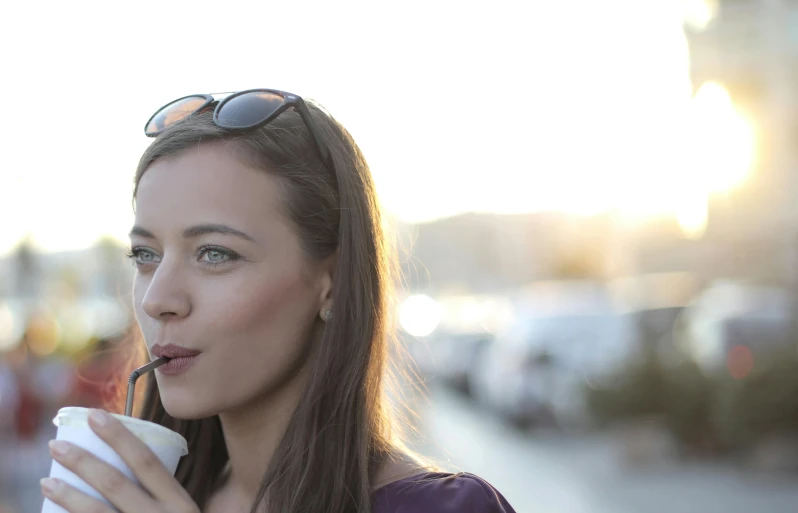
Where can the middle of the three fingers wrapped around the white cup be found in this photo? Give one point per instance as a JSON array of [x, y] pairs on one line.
[[104, 478]]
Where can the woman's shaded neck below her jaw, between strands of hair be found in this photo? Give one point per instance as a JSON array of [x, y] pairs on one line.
[[252, 433]]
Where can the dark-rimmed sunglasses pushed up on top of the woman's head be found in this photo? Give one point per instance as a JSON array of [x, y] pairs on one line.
[[243, 110]]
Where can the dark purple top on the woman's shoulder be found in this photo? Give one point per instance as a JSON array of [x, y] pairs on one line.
[[436, 492]]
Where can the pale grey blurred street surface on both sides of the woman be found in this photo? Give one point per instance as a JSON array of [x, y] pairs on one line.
[[543, 473]]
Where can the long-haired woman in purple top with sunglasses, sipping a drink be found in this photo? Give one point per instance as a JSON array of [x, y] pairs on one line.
[[264, 273]]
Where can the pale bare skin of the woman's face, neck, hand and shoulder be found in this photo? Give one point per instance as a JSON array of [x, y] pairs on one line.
[[248, 299]]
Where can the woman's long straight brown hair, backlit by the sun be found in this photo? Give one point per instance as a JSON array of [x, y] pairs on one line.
[[341, 431]]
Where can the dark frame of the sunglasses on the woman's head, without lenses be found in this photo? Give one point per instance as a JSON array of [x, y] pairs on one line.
[[290, 100]]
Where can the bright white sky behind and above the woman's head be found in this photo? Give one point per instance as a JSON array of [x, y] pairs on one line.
[[501, 106]]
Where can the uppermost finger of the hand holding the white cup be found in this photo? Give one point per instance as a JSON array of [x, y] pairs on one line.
[[144, 464]]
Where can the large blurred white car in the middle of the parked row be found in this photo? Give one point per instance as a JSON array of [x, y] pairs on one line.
[[567, 333]]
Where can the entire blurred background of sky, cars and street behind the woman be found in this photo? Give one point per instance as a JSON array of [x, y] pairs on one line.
[[596, 205]]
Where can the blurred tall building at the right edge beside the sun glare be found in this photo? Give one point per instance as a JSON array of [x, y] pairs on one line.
[[750, 47]]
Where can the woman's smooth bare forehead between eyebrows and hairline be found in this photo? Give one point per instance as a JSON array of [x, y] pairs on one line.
[[206, 184]]
